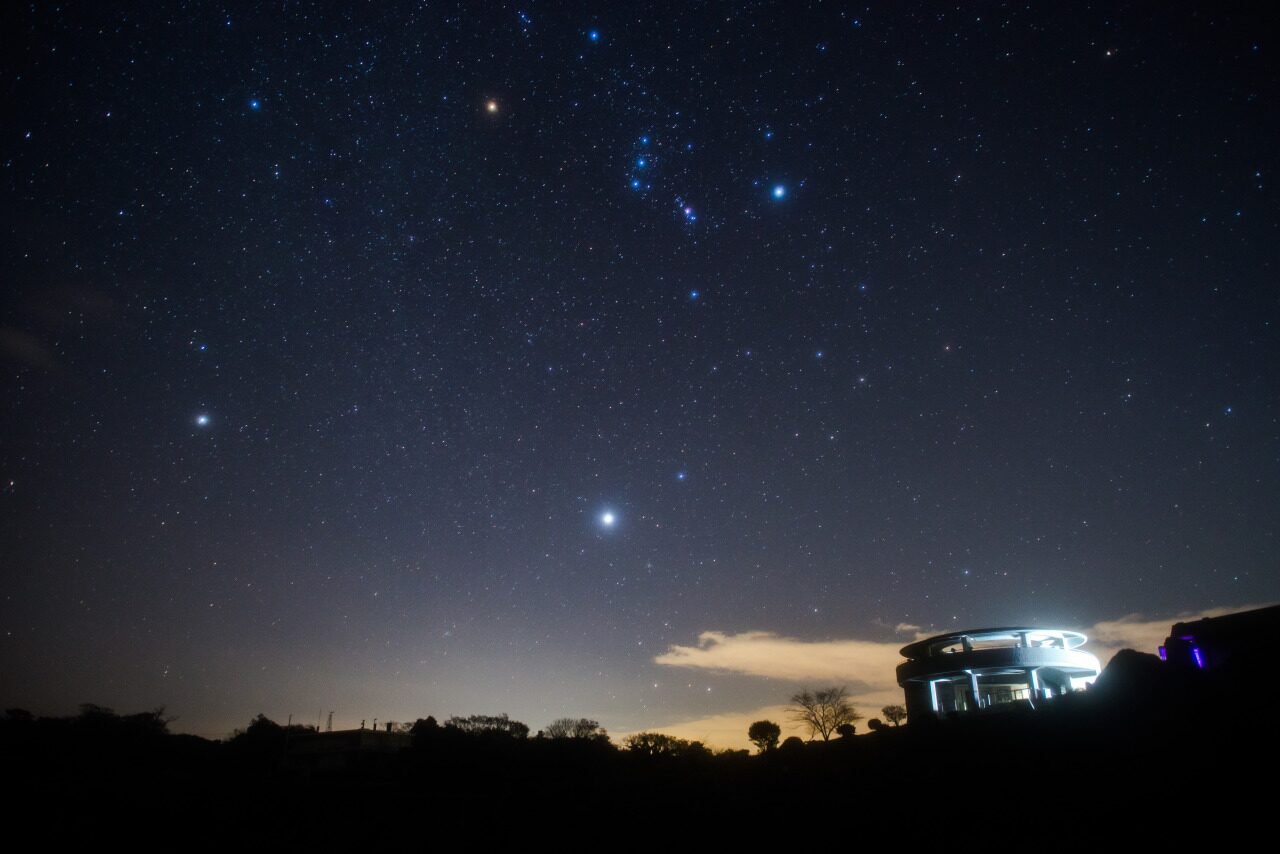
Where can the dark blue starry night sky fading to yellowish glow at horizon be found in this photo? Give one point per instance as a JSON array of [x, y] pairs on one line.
[[444, 358]]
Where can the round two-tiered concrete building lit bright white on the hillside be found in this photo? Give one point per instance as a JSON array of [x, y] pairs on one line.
[[964, 672]]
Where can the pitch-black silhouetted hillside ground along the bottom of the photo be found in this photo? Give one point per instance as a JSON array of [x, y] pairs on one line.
[[1149, 757]]
